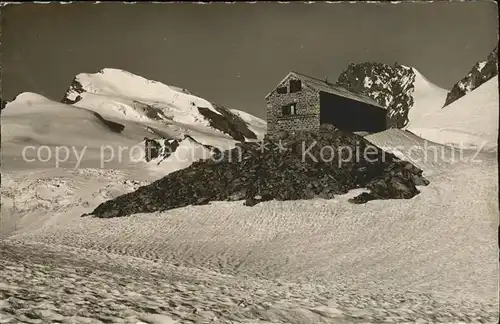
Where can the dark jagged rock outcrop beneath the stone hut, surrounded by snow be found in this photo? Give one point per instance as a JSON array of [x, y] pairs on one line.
[[303, 165]]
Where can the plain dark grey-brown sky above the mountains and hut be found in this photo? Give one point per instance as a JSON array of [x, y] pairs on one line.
[[234, 54]]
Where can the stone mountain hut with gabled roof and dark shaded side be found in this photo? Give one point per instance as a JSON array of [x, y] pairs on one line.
[[301, 102]]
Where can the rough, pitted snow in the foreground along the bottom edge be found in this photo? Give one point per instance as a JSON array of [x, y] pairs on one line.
[[105, 287]]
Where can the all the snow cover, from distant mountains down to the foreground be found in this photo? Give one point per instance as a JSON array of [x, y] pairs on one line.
[[429, 259]]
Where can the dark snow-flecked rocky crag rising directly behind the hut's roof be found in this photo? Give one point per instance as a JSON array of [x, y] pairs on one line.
[[390, 86]]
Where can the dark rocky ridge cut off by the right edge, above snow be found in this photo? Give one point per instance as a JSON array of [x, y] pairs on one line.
[[479, 74]]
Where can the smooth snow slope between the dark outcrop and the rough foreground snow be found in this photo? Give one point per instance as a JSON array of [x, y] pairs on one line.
[[439, 243]]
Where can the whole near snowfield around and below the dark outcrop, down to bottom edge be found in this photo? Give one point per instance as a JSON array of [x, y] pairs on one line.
[[303, 262]]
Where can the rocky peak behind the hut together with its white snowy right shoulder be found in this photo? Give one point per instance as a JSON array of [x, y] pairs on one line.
[[403, 90]]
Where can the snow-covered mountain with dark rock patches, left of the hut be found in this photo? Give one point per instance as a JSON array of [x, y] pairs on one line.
[[117, 93]]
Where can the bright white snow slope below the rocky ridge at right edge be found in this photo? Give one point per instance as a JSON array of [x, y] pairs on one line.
[[469, 122]]
